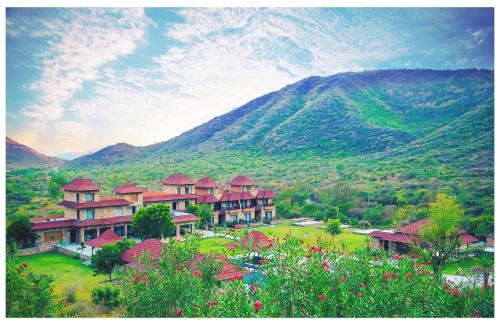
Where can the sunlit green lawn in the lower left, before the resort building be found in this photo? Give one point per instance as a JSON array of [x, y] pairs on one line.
[[66, 272]]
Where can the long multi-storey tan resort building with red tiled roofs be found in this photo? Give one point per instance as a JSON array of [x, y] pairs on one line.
[[88, 214]]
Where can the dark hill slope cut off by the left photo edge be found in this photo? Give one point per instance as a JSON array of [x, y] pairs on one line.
[[21, 156]]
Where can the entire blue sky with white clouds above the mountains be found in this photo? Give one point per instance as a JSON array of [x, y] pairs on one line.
[[81, 79]]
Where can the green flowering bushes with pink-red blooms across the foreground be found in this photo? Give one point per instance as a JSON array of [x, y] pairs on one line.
[[300, 283]]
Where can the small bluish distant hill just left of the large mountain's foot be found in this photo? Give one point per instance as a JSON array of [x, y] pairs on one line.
[[115, 154]]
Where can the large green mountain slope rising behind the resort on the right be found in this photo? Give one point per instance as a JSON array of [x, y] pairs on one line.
[[417, 131]]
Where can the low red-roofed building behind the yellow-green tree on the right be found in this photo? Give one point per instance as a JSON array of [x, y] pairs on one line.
[[400, 240]]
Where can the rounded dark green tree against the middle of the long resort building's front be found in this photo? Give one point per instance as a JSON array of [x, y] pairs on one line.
[[153, 222]]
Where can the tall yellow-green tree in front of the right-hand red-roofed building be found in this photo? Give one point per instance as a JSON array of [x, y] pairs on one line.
[[442, 232]]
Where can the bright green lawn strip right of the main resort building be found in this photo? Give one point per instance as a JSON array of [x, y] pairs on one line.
[[314, 236]]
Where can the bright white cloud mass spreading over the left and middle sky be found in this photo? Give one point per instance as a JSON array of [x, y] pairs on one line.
[[223, 59]]
